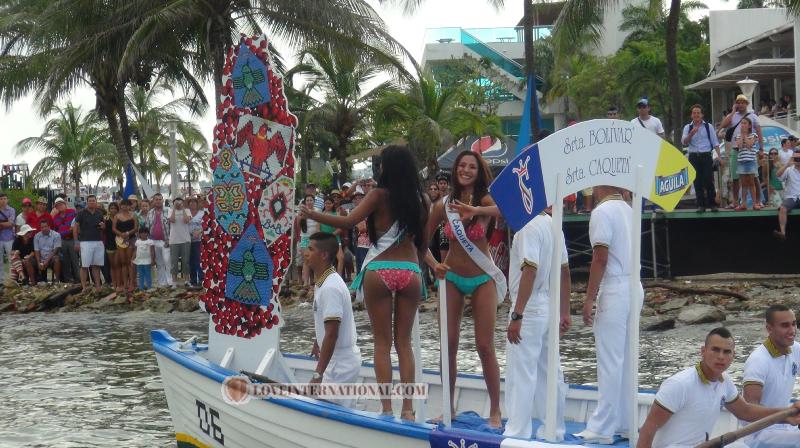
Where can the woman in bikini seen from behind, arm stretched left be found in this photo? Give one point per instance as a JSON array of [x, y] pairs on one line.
[[391, 279]]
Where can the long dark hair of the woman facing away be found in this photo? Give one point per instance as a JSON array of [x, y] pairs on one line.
[[400, 177]]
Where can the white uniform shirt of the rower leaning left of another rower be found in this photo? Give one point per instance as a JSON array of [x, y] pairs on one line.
[[695, 403]]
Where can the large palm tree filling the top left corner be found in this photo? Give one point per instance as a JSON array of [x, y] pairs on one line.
[[51, 47]]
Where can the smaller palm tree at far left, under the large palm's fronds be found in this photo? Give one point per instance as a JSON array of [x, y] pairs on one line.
[[70, 142]]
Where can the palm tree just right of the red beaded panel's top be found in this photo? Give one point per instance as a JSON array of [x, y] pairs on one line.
[[342, 78]]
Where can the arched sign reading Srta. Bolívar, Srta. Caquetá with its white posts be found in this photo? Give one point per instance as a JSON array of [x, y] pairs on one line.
[[596, 152]]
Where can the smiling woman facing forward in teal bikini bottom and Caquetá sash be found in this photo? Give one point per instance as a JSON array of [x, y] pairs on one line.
[[470, 199]]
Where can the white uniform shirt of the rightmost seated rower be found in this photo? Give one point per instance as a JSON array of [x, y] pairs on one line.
[[775, 371]]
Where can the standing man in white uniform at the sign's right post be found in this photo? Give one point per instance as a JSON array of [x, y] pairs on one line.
[[609, 233]]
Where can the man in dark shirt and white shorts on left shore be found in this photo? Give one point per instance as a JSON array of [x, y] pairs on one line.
[[86, 232]]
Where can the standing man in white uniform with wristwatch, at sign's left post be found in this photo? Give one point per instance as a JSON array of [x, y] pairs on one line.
[[526, 351]]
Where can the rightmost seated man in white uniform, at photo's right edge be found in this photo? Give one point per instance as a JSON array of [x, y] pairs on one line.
[[769, 376]]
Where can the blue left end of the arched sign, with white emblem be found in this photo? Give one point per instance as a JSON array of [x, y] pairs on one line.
[[519, 189]]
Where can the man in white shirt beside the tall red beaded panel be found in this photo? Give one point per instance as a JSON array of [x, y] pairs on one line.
[[339, 359]]
